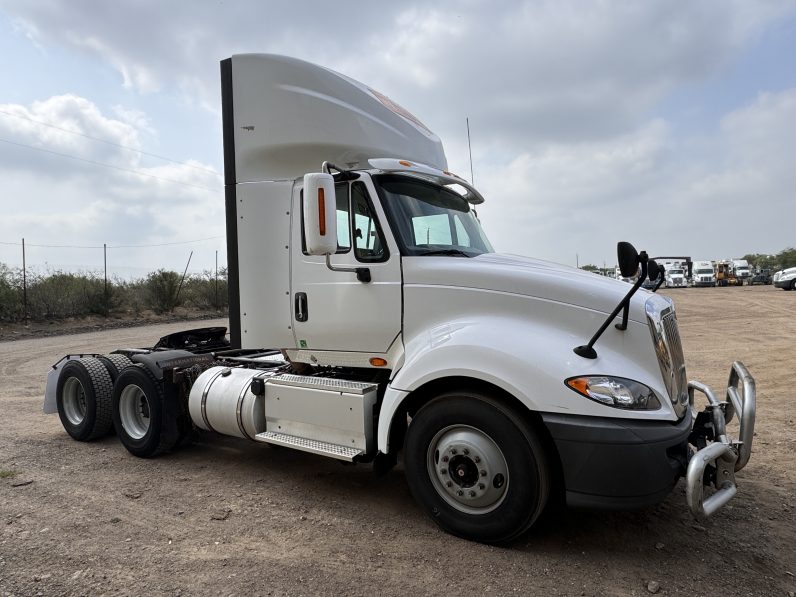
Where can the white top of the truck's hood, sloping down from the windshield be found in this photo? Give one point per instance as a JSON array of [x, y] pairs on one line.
[[525, 276]]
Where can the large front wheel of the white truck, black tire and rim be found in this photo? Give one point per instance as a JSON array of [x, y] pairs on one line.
[[494, 479]]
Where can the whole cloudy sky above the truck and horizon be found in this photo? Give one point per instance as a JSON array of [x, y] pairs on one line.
[[668, 124]]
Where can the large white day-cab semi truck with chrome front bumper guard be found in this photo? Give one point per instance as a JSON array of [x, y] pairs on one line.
[[370, 316]]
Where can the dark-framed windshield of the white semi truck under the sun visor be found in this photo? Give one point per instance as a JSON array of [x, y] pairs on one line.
[[429, 219]]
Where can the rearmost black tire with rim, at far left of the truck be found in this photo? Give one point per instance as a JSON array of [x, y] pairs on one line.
[[83, 397]]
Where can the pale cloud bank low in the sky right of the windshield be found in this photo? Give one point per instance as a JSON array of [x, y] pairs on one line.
[[718, 196]]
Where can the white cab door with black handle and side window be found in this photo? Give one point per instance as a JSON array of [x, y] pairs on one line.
[[333, 310]]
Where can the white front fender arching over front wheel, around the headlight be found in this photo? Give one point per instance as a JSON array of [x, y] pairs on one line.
[[529, 359]]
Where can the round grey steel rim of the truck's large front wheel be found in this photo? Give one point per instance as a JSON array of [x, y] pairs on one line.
[[467, 469]]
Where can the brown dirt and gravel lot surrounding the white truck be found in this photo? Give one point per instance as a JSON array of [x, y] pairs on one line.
[[230, 517]]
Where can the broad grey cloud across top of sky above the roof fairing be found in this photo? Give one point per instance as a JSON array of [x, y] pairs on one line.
[[528, 72]]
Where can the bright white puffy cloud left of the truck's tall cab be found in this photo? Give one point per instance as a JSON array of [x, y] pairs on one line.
[[80, 191]]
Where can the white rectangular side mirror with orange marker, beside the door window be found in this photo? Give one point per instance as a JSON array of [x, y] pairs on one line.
[[320, 214]]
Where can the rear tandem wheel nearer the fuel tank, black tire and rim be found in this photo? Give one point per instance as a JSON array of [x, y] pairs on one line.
[[145, 423]]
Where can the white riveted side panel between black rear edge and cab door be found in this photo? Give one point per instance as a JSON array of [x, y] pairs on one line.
[[263, 211]]
